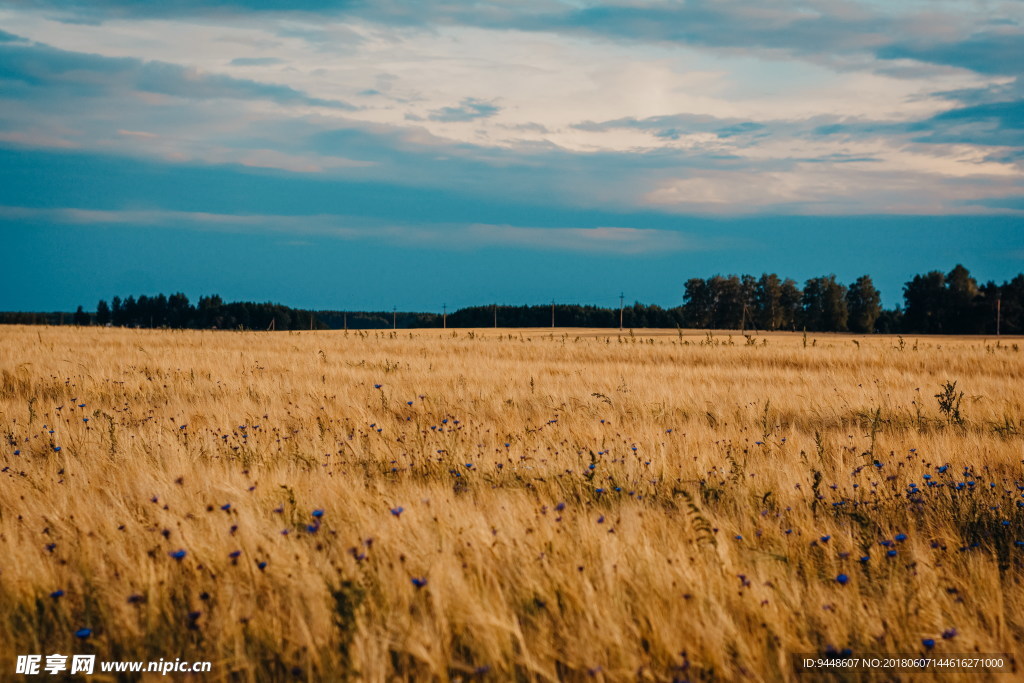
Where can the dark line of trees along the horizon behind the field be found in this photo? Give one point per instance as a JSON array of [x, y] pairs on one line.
[[933, 304]]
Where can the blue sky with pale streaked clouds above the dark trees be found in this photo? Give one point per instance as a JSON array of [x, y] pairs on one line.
[[370, 154]]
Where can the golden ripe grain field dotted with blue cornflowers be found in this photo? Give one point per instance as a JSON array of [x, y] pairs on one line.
[[533, 505]]
